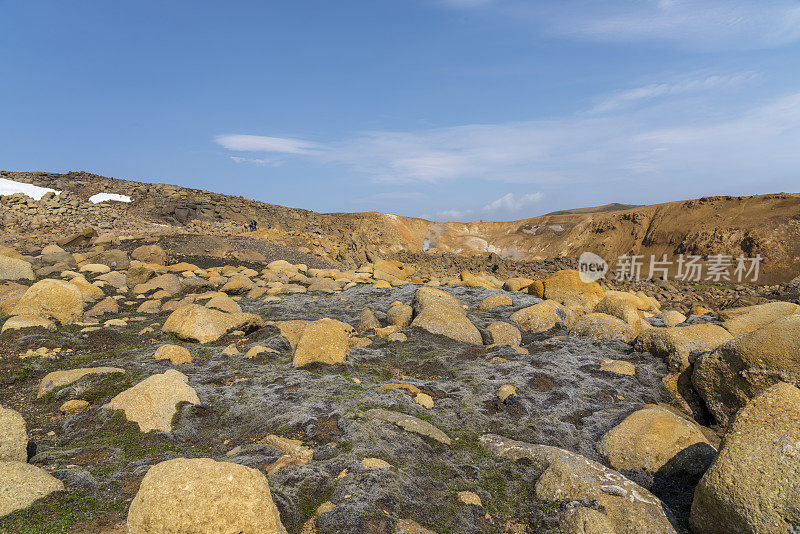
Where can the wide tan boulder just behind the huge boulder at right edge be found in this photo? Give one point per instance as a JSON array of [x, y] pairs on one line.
[[677, 344]]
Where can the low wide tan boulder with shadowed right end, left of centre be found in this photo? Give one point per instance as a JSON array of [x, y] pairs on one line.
[[193, 322]]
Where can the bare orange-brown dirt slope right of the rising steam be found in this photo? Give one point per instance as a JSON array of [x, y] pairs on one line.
[[768, 225]]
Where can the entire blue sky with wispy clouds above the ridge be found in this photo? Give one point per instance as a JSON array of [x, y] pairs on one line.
[[446, 109]]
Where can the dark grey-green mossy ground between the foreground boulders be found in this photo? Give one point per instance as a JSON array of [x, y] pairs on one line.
[[323, 406]]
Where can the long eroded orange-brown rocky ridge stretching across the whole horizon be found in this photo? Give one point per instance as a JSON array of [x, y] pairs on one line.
[[766, 225]]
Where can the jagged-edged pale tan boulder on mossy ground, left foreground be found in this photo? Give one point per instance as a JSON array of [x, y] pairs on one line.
[[152, 402]]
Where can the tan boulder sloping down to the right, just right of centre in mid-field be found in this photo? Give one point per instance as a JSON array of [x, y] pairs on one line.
[[441, 313]]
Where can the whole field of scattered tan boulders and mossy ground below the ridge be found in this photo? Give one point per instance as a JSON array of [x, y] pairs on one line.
[[144, 393]]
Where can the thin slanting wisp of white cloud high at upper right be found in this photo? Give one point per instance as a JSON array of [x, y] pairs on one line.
[[678, 87]]
